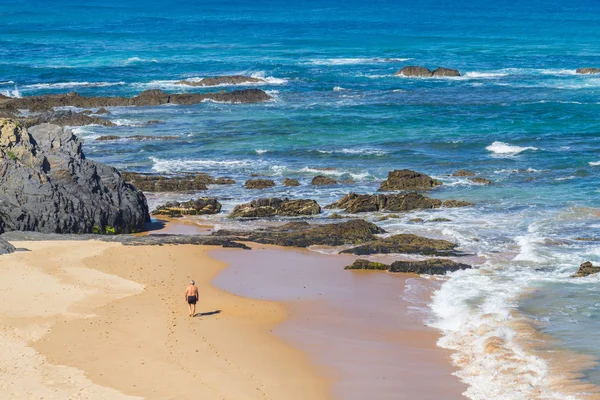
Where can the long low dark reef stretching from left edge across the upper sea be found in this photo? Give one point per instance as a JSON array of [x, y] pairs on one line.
[[154, 97]]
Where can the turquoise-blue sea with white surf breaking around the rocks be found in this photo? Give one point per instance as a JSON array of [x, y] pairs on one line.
[[519, 116]]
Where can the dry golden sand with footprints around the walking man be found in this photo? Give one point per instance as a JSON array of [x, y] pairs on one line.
[[95, 320]]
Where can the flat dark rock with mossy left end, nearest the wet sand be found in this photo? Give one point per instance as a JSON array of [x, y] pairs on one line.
[[435, 266]]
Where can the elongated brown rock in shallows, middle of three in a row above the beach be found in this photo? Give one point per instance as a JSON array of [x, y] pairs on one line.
[[276, 207]]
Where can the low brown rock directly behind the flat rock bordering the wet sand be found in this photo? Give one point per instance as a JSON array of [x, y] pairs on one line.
[[405, 244]]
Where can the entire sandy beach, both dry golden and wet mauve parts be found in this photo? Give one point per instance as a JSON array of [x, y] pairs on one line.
[[96, 320]]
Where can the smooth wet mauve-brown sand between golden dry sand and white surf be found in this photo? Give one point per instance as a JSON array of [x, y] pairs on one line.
[[357, 325]]
